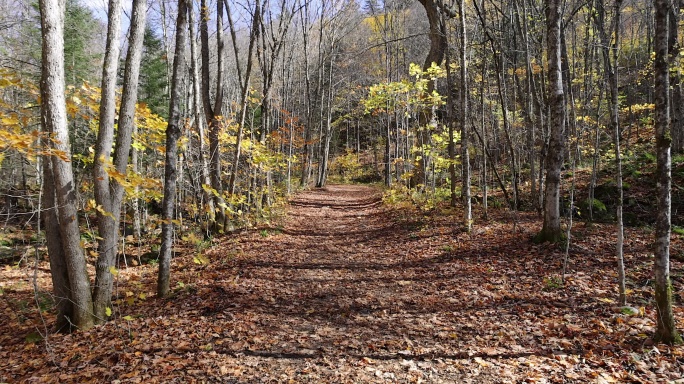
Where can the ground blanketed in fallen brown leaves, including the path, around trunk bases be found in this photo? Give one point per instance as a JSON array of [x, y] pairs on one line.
[[349, 290]]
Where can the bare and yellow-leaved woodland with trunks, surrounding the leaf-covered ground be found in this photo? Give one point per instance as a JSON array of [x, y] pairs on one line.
[[166, 123]]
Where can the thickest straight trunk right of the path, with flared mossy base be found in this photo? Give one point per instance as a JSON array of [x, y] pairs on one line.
[[551, 230]]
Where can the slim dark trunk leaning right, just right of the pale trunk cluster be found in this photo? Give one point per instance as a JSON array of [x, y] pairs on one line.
[[172, 134]]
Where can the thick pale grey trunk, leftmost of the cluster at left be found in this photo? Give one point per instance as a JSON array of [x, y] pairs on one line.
[[54, 121]]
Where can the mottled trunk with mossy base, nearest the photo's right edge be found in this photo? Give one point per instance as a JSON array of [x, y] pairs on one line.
[[666, 331]]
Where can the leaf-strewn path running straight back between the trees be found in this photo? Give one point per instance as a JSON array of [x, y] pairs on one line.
[[349, 292]]
